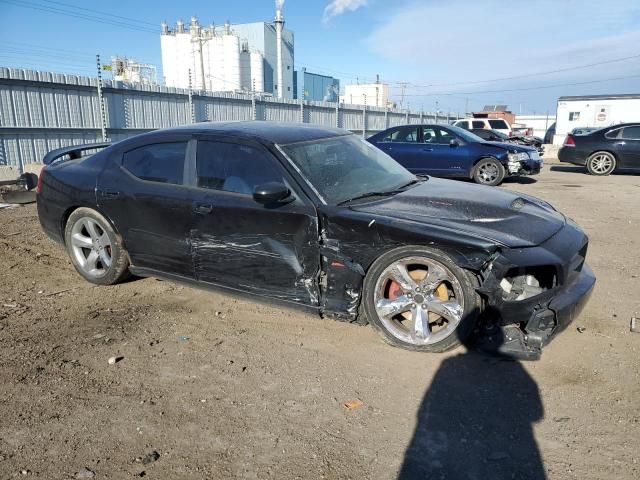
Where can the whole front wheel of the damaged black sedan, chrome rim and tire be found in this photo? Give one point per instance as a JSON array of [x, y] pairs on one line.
[[417, 298]]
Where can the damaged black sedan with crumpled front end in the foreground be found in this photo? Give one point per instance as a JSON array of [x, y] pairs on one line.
[[320, 218]]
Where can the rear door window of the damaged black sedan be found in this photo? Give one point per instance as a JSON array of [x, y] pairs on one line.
[[160, 162]]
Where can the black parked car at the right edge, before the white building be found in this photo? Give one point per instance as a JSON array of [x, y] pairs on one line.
[[604, 150]]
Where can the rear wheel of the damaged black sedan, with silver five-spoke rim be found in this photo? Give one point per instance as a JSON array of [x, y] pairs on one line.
[[118, 268]]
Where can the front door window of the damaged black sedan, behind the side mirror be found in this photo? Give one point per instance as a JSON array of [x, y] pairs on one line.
[[233, 167]]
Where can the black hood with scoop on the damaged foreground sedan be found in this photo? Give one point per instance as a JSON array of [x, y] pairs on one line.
[[510, 218]]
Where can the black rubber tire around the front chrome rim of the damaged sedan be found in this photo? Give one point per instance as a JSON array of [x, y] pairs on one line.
[[466, 280]]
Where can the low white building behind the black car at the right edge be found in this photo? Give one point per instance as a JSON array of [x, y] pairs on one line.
[[594, 111]]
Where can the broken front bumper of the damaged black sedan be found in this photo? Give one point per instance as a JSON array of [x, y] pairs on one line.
[[521, 328]]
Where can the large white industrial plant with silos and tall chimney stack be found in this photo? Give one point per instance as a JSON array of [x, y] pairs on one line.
[[250, 57]]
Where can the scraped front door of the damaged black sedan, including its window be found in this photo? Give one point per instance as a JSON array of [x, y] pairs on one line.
[[266, 250]]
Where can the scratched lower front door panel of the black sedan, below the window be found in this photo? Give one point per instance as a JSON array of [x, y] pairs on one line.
[[263, 251]]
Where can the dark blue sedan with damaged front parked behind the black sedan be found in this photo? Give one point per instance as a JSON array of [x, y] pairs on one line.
[[447, 151]]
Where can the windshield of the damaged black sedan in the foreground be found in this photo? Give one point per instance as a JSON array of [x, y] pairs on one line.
[[345, 167]]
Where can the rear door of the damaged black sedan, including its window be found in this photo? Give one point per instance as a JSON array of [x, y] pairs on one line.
[[145, 197]]
